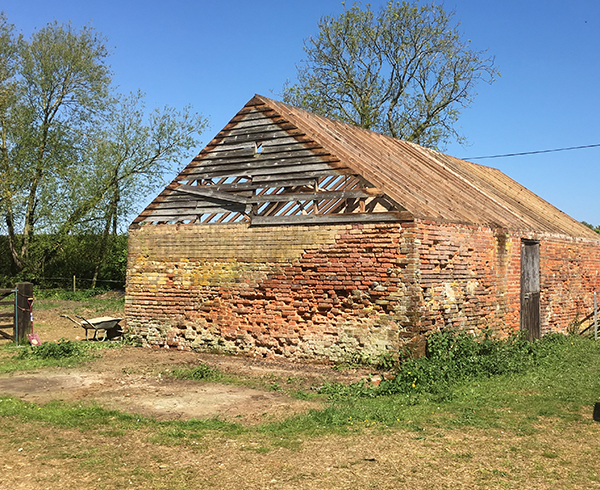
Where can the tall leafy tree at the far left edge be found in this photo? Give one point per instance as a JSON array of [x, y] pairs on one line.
[[61, 88]]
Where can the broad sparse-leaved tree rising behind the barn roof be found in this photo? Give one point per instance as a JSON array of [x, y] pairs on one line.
[[405, 71]]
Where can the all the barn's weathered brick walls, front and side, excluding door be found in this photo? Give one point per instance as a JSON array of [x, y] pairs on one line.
[[340, 291]]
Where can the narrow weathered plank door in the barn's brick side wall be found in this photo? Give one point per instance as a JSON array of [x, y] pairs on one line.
[[530, 288]]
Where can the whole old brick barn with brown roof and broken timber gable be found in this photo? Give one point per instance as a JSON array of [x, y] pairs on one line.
[[294, 235]]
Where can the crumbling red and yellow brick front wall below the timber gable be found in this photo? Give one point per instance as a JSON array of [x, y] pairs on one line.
[[302, 292]]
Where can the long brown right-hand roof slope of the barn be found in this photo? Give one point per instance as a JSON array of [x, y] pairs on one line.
[[471, 208]]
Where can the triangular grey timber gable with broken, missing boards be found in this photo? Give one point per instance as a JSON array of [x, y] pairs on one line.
[[263, 170]]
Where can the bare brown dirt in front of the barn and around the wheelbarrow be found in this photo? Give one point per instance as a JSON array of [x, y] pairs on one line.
[[136, 379]]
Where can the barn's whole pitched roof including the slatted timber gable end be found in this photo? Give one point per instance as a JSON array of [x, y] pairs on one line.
[[416, 182]]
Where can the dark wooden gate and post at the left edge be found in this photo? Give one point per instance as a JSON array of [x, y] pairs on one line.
[[18, 317]]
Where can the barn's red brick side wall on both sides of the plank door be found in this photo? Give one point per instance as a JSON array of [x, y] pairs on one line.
[[470, 278]]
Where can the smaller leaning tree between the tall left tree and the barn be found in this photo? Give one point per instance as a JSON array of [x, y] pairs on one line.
[[130, 158]]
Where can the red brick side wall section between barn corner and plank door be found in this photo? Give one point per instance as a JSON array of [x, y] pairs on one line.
[[469, 277]]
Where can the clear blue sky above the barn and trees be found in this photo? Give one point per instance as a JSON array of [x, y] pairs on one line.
[[215, 55]]
